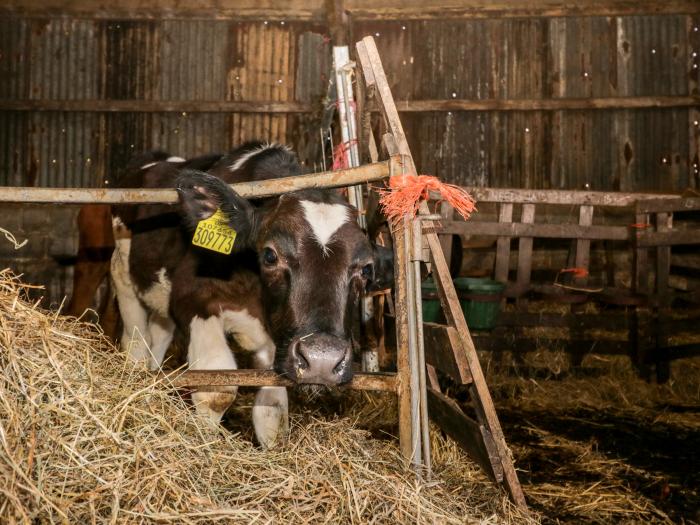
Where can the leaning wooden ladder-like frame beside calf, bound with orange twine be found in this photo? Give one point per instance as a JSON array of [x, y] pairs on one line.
[[451, 348]]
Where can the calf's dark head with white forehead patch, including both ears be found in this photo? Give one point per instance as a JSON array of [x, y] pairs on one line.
[[315, 262]]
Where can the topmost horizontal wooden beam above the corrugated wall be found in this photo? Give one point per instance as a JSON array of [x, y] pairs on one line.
[[359, 9]]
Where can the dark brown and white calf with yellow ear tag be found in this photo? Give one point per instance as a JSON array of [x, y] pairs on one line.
[[287, 292]]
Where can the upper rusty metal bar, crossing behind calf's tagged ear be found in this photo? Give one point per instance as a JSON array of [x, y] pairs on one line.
[[330, 179]]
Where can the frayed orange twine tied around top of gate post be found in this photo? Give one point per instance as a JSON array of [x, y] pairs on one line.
[[406, 191]]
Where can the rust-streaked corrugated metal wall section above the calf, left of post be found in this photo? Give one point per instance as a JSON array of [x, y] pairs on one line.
[[171, 60]]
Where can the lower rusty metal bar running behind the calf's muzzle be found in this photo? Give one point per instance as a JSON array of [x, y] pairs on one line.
[[207, 380]]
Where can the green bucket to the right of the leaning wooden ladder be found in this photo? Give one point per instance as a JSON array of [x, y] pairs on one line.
[[480, 300]]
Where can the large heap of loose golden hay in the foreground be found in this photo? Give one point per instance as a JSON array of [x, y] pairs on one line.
[[86, 437]]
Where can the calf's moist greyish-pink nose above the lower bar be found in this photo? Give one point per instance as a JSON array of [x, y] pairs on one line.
[[321, 359]]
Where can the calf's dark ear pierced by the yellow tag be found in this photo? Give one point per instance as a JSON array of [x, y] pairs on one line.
[[201, 194]]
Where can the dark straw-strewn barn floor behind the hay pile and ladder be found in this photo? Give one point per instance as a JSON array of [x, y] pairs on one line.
[[593, 444]]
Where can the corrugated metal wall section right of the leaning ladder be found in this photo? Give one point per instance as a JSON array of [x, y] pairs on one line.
[[572, 57]]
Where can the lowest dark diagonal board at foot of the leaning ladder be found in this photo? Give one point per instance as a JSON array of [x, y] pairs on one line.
[[468, 434]]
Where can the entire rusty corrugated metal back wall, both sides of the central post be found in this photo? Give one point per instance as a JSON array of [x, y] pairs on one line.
[[219, 60]]
